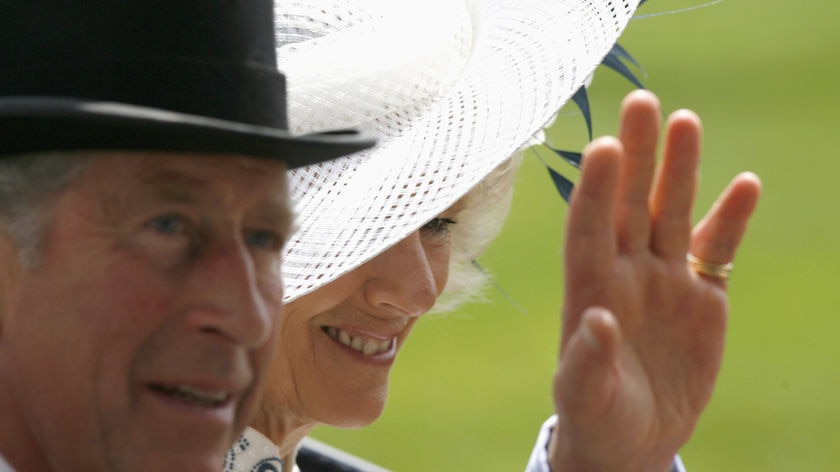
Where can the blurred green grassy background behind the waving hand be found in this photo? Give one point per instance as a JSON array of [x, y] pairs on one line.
[[470, 389]]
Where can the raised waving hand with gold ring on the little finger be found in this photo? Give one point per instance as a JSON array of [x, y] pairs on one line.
[[642, 331]]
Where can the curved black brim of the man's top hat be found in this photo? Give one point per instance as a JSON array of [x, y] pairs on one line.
[[54, 124]]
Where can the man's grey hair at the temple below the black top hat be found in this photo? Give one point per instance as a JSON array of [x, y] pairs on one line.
[[29, 184]]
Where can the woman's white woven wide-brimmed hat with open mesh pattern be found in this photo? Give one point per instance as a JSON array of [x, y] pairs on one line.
[[452, 88]]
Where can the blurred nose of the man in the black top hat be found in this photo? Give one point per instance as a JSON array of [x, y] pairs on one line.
[[229, 300]]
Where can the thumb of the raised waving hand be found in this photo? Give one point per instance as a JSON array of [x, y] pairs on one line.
[[586, 375]]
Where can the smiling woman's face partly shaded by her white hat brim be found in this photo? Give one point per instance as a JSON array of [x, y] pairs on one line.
[[337, 344]]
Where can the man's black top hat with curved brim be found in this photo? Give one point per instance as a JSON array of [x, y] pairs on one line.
[[157, 75]]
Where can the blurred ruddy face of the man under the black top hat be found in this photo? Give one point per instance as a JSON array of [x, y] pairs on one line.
[[141, 339]]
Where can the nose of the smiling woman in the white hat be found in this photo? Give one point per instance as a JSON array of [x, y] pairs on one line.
[[401, 280]]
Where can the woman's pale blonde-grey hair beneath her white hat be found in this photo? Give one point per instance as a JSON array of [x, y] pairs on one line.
[[485, 210]]
